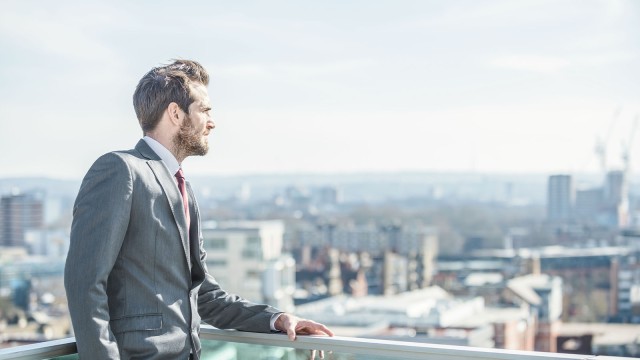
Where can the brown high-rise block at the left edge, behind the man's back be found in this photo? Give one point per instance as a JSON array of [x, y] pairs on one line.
[[19, 213]]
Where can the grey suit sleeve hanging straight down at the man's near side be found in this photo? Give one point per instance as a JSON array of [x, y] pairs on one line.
[[100, 219]]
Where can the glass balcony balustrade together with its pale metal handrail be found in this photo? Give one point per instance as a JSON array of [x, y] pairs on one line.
[[231, 345]]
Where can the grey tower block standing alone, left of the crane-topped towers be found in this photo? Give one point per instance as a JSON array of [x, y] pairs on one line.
[[560, 198]]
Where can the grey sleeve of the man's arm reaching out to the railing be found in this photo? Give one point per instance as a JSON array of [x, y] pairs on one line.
[[227, 311]]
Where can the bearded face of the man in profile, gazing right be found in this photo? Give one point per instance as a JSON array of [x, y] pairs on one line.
[[192, 138]]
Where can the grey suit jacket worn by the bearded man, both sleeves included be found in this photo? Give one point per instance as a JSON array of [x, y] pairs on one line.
[[136, 282]]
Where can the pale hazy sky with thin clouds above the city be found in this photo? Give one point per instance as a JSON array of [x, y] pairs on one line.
[[330, 86]]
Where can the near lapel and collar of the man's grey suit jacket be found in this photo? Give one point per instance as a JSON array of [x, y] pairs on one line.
[[166, 181]]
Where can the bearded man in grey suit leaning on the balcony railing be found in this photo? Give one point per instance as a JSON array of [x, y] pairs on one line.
[[135, 276]]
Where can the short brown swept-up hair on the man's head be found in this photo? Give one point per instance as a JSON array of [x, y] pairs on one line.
[[163, 85]]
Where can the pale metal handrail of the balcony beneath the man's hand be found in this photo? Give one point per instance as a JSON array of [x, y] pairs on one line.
[[357, 347]]
